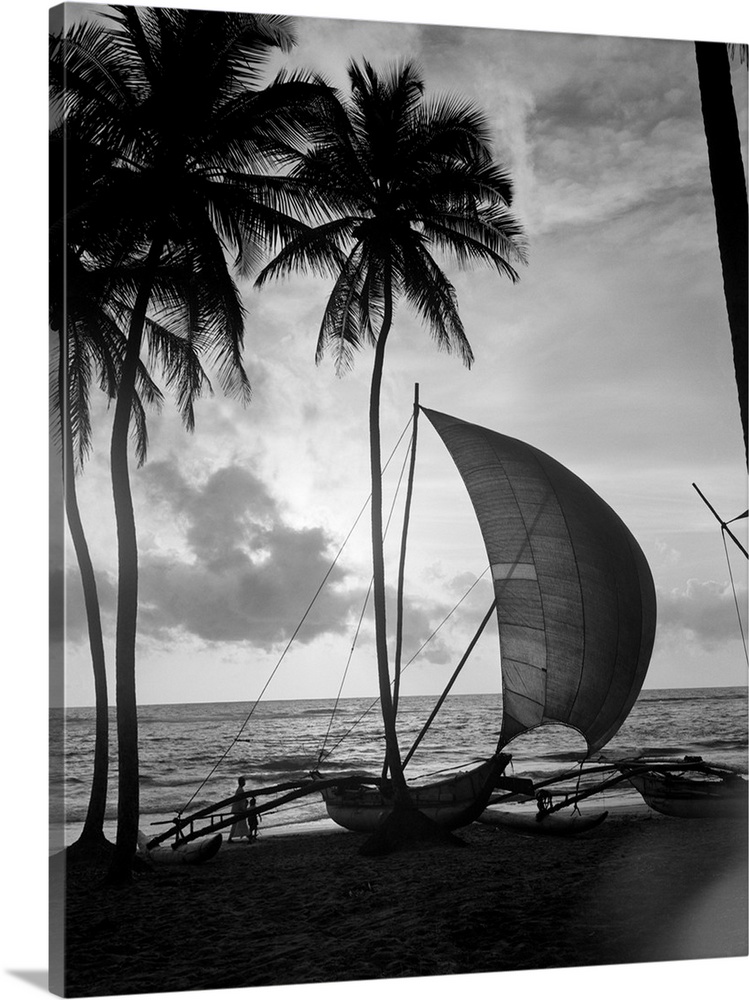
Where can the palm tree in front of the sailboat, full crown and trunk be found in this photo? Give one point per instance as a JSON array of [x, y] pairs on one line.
[[398, 178]]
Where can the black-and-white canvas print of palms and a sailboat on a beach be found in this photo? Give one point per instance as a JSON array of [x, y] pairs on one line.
[[389, 638]]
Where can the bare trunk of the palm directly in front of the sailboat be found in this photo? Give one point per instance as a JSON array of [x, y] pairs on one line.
[[378, 558]]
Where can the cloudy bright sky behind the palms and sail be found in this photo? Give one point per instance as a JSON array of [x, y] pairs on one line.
[[612, 354]]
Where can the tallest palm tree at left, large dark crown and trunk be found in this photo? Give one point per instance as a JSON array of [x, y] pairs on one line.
[[173, 96]]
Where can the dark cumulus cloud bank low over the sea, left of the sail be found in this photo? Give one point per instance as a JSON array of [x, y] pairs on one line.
[[222, 562]]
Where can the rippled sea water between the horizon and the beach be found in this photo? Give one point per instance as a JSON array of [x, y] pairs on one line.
[[191, 755]]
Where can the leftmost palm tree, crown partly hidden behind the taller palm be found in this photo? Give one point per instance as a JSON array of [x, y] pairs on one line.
[[85, 306]]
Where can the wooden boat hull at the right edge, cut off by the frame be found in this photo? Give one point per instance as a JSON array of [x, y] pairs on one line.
[[693, 796]]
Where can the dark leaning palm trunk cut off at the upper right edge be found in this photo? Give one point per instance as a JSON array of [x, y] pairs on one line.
[[729, 196]]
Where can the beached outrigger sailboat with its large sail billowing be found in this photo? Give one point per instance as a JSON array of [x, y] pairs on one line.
[[575, 605]]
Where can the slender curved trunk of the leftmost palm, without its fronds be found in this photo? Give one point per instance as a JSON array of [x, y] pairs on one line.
[[92, 834]]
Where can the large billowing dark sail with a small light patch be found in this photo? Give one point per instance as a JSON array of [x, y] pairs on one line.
[[575, 596]]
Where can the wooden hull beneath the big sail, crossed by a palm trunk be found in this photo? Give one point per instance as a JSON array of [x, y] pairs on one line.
[[451, 803]]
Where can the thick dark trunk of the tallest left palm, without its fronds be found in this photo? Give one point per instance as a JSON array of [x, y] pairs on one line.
[[128, 799]]
